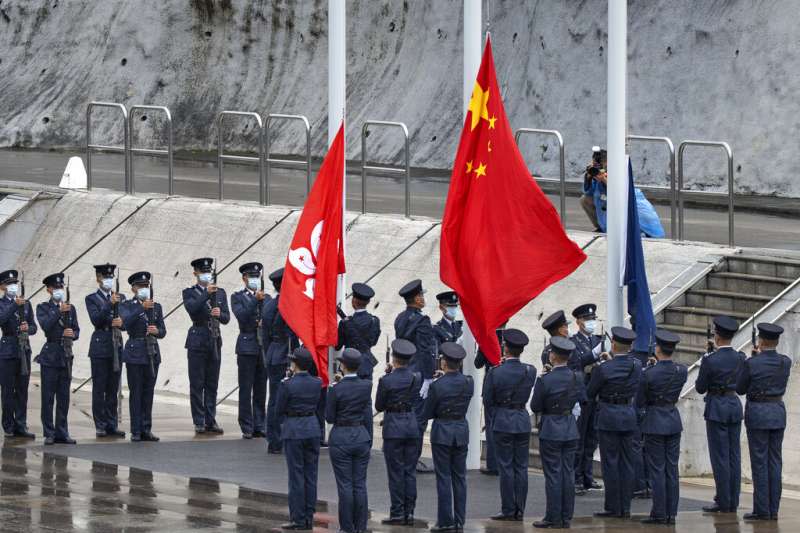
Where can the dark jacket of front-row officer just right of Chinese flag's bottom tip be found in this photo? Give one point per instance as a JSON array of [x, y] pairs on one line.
[[506, 391]]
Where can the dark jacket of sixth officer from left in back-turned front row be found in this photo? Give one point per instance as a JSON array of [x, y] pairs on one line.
[[554, 396]]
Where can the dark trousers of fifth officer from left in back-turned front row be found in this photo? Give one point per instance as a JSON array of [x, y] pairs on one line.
[[513, 451]]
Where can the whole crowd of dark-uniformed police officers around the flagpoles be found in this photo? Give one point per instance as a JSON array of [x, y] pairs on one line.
[[587, 395]]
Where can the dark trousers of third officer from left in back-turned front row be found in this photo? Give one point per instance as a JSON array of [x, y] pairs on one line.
[[401, 467]]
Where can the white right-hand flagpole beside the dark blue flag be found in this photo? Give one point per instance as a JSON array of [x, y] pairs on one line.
[[617, 167]]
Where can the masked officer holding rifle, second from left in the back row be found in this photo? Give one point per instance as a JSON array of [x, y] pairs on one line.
[[58, 321]]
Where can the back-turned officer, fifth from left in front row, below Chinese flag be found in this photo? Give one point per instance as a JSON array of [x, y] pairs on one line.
[[506, 392]]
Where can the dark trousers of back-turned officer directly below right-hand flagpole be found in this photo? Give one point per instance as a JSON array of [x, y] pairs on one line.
[[616, 458]]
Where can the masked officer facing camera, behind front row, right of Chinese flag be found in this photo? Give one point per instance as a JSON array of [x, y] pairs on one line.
[[587, 349]]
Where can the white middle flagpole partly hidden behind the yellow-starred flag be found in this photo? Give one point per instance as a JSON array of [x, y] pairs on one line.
[[473, 42]]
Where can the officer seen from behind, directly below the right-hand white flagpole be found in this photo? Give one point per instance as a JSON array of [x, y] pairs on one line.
[[615, 384]]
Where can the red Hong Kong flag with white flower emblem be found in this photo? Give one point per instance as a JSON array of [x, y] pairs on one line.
[[316, 258]]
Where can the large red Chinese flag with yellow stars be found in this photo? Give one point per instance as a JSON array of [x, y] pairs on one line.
[[502, 241]]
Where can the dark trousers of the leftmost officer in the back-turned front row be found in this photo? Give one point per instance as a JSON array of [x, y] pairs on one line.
[[302, 461]]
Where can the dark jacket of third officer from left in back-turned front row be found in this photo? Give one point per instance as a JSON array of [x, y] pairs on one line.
[[399, 390]]
